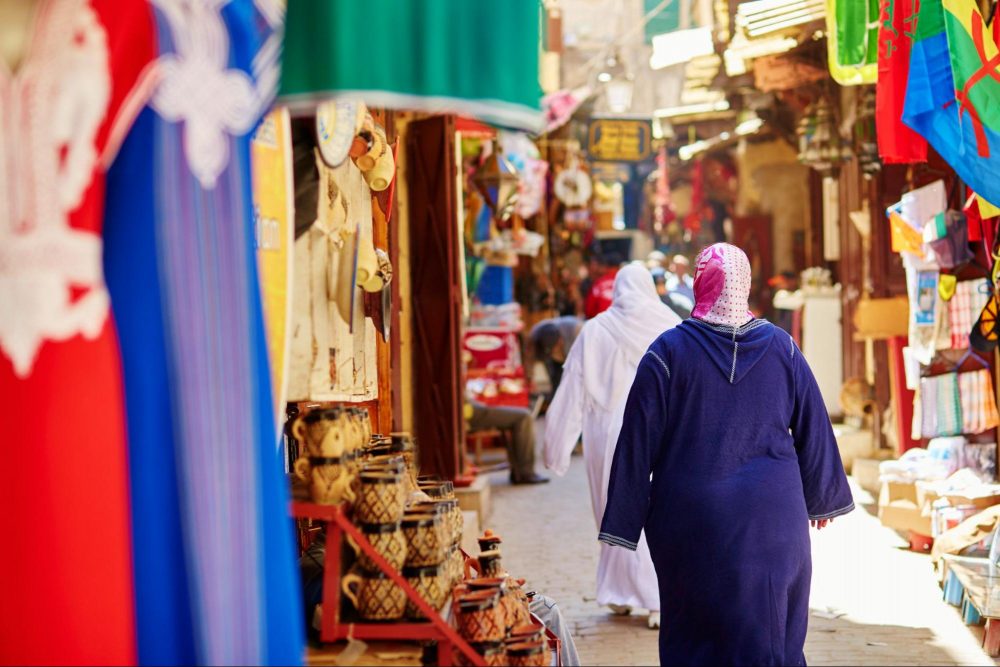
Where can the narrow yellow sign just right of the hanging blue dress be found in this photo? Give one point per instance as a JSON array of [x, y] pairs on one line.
[[274, 230]]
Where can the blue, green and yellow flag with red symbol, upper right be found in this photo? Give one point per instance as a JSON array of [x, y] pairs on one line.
[[953, 92]]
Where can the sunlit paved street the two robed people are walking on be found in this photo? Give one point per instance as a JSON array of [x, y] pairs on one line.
[[873, 601]]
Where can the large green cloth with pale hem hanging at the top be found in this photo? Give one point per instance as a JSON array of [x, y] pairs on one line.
[[478, 58]]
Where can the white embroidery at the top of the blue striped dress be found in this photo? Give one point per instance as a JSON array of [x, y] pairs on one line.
[[198, 89]]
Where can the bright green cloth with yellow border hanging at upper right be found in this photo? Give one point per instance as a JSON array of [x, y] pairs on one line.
[[852, 41]]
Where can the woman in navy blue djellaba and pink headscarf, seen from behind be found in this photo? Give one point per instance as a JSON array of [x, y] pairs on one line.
[[725, 457]]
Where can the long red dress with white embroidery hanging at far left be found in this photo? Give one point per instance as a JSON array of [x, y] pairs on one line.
[[66, 566]]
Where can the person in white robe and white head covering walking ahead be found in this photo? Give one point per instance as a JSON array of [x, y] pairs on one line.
[[597, 376]]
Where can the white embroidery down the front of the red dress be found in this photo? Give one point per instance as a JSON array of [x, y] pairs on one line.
[[50, 114]]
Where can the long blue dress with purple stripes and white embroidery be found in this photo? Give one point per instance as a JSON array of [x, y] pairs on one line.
[[215, 572]]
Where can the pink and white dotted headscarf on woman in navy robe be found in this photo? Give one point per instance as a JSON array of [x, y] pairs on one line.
[[722, 286]]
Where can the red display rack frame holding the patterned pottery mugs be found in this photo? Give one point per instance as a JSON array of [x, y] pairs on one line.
[[332, 629]]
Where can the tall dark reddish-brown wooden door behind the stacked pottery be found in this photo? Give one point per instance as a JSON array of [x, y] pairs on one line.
[[435, 277]]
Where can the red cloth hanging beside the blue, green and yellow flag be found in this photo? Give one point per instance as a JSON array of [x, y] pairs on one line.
[[897, 143]]
